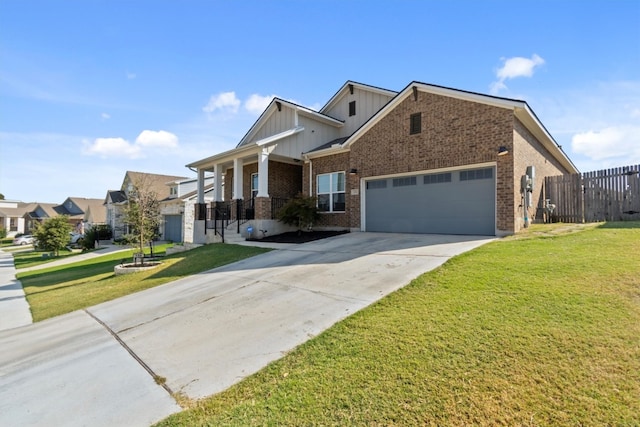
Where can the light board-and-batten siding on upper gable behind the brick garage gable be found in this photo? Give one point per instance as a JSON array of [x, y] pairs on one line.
[[367, 104]]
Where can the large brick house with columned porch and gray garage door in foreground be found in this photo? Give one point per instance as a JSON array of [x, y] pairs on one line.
[[427, 159]]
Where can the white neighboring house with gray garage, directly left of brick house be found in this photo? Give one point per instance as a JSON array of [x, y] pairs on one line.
[[178, 209]]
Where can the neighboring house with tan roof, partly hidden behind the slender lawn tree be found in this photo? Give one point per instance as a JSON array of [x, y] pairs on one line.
[[116, 202]]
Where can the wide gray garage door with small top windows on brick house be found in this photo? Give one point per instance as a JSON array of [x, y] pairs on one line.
[[457, 202]]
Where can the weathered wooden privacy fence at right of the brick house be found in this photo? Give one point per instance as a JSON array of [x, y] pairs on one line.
[[605, 195]]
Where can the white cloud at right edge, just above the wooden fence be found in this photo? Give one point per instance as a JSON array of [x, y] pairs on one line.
[[621, 142]]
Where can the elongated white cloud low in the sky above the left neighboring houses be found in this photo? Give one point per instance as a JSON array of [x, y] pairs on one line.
[[147, 142]]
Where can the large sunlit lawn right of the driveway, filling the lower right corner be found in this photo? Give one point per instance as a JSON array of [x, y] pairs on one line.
[[541, 329]]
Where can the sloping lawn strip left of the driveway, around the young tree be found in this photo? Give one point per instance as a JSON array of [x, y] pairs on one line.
[[58, 290]]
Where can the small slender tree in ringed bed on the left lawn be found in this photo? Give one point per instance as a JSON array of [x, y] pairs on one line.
[[142, 214]]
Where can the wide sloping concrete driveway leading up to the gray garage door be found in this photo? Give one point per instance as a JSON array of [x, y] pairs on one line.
[[202, 333]]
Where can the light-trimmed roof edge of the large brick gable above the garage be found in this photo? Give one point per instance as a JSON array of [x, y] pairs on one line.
[[520, 108]]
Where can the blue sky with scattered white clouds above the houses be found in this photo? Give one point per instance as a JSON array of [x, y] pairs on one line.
[[91, 89]]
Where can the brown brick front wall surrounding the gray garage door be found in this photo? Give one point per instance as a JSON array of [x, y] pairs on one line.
[[454, 133]]
